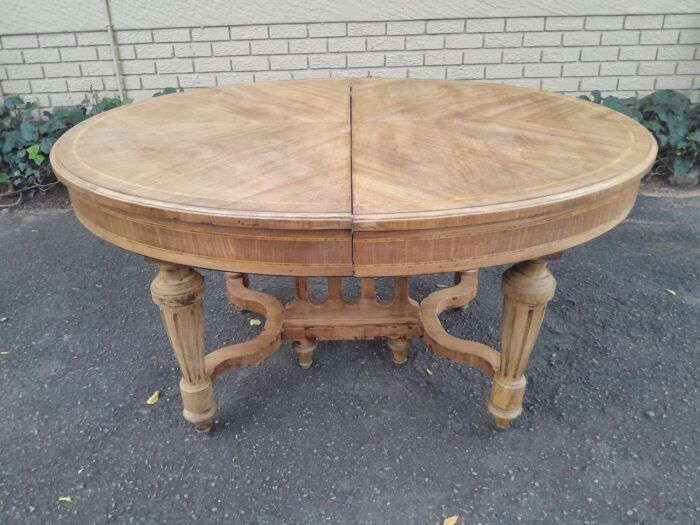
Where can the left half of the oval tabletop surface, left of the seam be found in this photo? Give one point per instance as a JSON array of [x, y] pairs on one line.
[[264, 150]]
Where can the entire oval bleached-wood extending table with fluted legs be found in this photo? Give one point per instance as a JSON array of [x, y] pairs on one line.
[[374, 178]]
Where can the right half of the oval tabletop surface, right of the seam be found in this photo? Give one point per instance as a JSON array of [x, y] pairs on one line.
[[423, 151]]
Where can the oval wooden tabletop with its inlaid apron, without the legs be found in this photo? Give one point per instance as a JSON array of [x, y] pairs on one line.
[[373, 177]]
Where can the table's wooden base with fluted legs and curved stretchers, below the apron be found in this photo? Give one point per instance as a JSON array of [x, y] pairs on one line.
[[527, 288]]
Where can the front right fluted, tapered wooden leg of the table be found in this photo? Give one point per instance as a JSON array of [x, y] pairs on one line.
[[527, 288]]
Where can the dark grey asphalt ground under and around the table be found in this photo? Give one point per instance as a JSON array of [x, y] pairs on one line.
[[609, 433]]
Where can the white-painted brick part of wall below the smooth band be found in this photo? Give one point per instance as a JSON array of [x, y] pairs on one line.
[[623, 55]]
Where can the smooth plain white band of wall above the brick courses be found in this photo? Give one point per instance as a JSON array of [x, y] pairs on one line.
[[37, 16]]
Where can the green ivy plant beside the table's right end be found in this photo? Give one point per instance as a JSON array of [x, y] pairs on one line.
[[674, 121]]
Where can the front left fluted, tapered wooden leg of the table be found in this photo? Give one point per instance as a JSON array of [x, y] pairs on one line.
[[178, 291]]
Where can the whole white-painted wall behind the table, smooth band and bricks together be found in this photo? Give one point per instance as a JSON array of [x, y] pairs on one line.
[[55, 52]]
